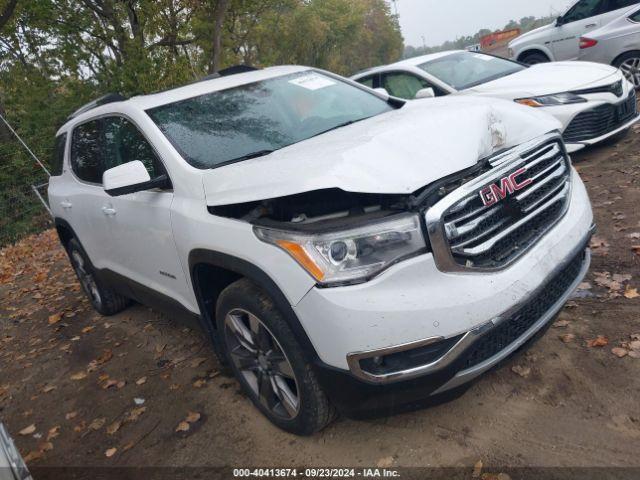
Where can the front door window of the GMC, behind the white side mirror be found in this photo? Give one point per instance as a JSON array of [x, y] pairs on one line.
[[125, 143]]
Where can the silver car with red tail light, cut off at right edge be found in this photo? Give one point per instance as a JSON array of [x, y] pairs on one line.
[[617, 44]]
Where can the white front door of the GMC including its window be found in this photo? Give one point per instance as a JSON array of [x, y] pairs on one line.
[[142, 246]]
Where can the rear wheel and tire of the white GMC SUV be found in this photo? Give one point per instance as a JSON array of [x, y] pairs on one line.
[[103, 299]]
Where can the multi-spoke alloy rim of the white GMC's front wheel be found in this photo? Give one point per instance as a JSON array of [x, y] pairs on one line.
[[259, 358]]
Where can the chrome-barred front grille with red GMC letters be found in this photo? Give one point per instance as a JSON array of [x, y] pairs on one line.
[[468, 232]]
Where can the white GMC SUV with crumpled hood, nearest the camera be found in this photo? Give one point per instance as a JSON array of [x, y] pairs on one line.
[[340, 248]]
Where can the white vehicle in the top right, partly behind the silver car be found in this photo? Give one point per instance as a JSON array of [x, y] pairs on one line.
[[561, 40]]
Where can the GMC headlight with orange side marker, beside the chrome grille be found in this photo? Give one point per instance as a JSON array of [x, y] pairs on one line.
[[350, 256]]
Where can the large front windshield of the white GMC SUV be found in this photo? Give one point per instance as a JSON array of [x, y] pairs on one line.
[[251, 120]]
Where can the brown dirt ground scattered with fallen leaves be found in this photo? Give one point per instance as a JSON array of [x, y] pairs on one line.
[[78, 389]]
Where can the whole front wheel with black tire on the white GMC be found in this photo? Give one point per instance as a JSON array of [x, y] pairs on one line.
[[268, 361]]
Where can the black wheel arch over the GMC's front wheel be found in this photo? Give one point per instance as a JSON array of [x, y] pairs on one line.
[[211, 272]]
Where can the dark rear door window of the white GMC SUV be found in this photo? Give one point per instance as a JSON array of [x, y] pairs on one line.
[[86, 158]]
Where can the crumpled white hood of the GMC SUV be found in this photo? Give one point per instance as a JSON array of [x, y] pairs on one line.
[[395, 153]]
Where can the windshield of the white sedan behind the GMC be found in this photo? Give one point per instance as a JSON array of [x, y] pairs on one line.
[[464, 70]]
